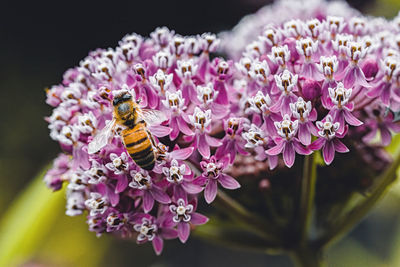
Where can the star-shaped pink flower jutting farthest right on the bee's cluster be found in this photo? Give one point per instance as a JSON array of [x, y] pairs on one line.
[[213, 174]]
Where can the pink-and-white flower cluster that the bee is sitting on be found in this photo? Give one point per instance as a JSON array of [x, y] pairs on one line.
[[166, 72]]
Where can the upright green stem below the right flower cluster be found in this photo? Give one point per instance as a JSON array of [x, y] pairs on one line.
[[307, 196]]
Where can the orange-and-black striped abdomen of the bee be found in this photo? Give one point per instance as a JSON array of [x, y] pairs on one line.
[[138, 143]]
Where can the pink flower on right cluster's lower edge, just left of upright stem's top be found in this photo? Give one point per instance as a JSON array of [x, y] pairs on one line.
[[287, 143]]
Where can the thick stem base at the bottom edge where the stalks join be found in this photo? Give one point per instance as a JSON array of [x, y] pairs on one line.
[[307, 257]]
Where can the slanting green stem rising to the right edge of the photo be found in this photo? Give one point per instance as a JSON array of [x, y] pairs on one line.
[[355, 215]]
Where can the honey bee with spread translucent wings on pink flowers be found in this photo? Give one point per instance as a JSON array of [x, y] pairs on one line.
[[133, 121]]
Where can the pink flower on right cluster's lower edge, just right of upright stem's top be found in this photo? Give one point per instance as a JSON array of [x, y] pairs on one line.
[[328, 140]]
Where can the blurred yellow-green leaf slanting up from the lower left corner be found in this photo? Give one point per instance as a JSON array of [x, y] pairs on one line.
[[27, 221]]
